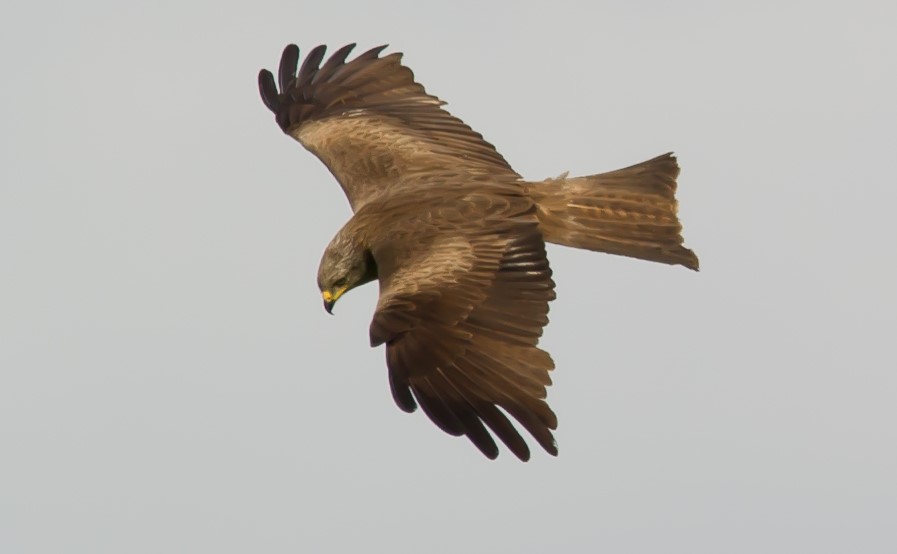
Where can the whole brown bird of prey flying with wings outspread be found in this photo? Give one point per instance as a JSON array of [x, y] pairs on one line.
[[456, 239]]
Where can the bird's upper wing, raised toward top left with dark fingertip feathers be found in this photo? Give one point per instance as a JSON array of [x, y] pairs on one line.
[[370, 122]]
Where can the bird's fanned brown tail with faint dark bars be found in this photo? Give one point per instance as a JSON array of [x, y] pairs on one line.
[[629, 212]]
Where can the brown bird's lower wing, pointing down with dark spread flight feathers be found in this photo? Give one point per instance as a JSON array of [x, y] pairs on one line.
[[461, 319]]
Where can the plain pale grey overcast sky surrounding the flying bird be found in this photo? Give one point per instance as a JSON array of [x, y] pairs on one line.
[[169, 381]]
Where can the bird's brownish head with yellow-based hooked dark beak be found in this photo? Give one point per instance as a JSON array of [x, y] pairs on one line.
[[346, 264]]
